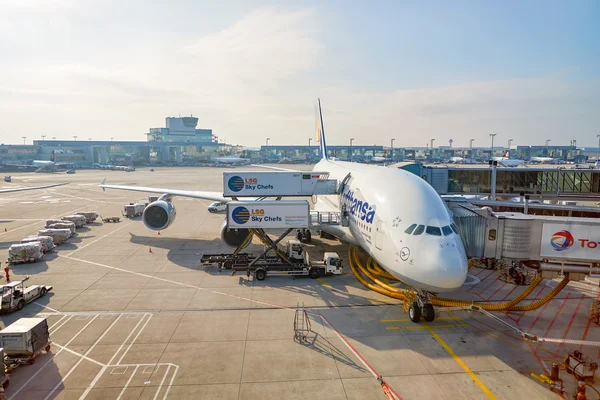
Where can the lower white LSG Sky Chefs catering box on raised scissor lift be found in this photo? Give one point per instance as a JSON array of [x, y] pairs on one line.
[[268, 214]]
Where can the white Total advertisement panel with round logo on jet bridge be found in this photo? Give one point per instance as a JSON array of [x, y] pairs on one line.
[[570, 240]]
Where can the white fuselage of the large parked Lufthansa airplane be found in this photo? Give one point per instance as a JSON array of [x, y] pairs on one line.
[[382, 203]]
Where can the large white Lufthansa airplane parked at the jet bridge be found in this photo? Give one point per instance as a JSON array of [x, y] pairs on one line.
[[394, 216]]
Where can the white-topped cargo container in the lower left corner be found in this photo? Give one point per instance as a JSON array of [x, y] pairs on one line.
[[25, 337]]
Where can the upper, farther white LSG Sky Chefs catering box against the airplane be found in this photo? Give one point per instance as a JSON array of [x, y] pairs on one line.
[[277, 183]]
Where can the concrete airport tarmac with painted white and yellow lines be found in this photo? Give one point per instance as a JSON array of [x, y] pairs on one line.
[[133, 315]]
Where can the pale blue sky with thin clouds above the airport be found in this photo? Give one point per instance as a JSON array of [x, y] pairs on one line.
[[411, 71]]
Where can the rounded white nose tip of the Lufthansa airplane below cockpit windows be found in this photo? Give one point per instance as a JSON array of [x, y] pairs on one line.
[[449, 266]]
